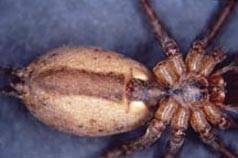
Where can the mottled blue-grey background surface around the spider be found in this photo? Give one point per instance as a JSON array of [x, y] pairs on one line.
[[29, 28]]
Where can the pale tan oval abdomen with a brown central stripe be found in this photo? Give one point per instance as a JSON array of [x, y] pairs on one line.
[[83, 91]]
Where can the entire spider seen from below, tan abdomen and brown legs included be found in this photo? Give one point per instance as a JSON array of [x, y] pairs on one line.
[[93, 92]]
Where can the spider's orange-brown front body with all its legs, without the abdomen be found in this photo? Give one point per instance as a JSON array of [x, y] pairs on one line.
[[196, 93]]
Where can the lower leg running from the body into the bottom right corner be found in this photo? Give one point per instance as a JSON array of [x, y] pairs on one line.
[[201, 126]]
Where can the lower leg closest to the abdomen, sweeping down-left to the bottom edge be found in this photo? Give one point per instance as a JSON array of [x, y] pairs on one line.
[[156, 127]]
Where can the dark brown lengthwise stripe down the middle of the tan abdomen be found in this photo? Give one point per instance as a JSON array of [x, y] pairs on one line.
[[66, 81]]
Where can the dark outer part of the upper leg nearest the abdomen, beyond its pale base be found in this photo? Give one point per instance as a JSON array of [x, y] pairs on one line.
[[168, 44]]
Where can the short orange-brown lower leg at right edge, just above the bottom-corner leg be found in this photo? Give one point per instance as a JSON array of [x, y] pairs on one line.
[[217, 117]]
